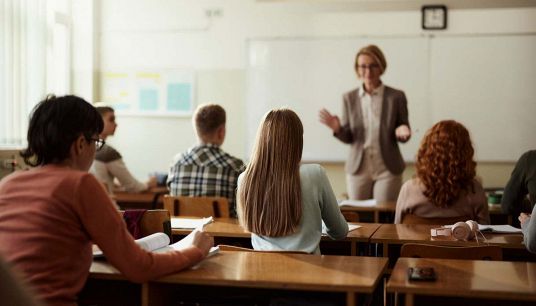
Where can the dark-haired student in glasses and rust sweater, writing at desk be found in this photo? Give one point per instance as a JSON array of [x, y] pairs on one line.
[[52, 214]]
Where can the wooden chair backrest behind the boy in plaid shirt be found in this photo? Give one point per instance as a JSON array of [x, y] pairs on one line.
[[217, 207]]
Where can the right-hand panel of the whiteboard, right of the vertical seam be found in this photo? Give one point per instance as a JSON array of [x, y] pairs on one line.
[[489, 84]]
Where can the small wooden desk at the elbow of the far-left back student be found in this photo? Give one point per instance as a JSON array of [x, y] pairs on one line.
[[151, 199]]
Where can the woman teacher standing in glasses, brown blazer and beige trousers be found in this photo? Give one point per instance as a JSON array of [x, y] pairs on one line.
[[374, 119]]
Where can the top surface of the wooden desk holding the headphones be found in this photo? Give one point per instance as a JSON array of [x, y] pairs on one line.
[[420, 233]]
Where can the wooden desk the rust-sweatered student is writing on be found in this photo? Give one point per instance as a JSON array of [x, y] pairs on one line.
[[248, 271]]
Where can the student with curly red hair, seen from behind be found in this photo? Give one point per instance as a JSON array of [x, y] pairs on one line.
[[445, 185]]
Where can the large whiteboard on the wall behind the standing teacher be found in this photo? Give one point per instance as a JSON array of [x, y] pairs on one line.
[[448, 77]]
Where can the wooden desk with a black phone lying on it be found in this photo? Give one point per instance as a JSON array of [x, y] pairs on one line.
[[473, 282]]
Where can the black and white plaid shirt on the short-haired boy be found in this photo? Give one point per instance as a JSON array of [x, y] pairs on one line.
[[206, 170]]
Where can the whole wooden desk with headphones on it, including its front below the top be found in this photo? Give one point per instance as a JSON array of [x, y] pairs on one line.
[[397, 234]]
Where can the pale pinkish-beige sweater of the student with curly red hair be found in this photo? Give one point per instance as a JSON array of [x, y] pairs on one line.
[[411, 200]]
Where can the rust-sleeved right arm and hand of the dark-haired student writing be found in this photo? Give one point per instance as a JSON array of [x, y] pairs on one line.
[[107, 229]]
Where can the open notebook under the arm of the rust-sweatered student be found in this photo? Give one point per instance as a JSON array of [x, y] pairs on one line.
[[158, 243]]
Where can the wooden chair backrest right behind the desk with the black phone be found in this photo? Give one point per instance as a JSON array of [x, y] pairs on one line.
[[485, 252]]
